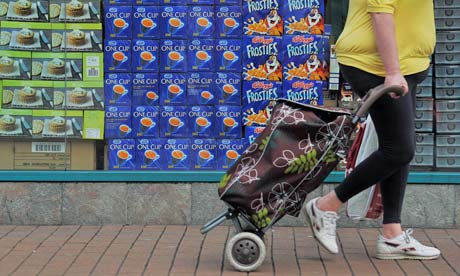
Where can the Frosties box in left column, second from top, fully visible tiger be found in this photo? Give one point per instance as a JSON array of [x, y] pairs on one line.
[[262, 58]]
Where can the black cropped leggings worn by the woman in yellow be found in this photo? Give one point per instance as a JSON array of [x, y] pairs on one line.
[[395, 127]]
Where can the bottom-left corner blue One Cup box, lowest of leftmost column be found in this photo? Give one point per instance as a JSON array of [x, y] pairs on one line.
[[121, 154]]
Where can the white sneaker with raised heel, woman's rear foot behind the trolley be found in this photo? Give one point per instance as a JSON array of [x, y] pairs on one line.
[[323, 225]]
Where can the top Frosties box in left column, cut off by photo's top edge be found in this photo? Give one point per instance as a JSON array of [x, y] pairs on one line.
[[263, 17]]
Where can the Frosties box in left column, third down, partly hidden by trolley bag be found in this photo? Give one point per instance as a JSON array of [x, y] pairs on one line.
[[259, 98]]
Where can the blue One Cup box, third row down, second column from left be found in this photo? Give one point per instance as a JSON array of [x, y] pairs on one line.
[[145, 89]]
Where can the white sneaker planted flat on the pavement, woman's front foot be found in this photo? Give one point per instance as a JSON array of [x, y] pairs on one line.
[[404, 246]]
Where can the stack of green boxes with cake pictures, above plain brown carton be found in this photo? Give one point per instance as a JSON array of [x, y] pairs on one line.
[[51, 69]]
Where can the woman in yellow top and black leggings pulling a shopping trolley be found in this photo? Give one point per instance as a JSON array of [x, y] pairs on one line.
[[390, 42]]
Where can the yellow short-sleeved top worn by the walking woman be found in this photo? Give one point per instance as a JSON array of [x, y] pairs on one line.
[[415, 35]]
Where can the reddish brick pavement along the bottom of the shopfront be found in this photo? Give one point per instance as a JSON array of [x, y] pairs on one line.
[[182, 250]]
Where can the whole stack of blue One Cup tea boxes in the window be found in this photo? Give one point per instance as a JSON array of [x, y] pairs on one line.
[[173, 84]]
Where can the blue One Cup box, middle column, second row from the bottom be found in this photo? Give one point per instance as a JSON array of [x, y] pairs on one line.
[[174, 121]]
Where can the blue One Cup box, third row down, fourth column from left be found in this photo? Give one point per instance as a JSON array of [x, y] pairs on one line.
[[199, 89]]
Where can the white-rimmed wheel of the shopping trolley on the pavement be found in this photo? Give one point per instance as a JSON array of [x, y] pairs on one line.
[[245, 251]]
